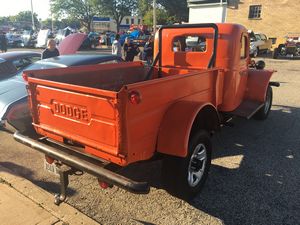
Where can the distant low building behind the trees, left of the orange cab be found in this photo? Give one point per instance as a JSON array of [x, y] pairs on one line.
[[104, 24]]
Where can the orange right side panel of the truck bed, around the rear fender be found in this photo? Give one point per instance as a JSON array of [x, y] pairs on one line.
[[146, 118]]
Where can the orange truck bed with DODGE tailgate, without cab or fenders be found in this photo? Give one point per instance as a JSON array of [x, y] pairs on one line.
[[89, 105]]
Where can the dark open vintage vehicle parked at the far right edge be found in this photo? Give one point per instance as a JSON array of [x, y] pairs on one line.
[[291, 47]]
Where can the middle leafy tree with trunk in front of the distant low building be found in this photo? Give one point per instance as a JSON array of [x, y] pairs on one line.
[[118, 9]]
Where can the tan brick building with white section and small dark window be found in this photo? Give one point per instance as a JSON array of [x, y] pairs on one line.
[[275, 18]]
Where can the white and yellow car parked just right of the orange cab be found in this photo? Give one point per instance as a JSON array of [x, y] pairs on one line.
[[259, 43]]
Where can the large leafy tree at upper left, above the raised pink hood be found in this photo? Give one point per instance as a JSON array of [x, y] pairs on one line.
[[81, 10]]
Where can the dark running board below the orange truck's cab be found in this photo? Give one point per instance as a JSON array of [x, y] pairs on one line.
[[247, 109]]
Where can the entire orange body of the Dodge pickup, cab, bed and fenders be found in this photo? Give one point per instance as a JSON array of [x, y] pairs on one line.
[[94, 105]]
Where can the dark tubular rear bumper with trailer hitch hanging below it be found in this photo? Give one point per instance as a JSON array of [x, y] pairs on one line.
[[71, 162]]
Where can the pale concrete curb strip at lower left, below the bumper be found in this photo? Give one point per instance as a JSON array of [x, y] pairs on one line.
[[64, 212]]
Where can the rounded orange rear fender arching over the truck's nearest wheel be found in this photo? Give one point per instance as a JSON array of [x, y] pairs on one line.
[[178, 123]]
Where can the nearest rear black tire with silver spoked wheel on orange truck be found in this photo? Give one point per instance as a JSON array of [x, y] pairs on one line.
[[176, 171]]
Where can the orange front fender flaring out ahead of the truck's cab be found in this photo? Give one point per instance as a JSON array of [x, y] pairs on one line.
[[257, 84]]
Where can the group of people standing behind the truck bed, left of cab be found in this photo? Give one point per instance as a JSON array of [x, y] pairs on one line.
[[131, 50]]
